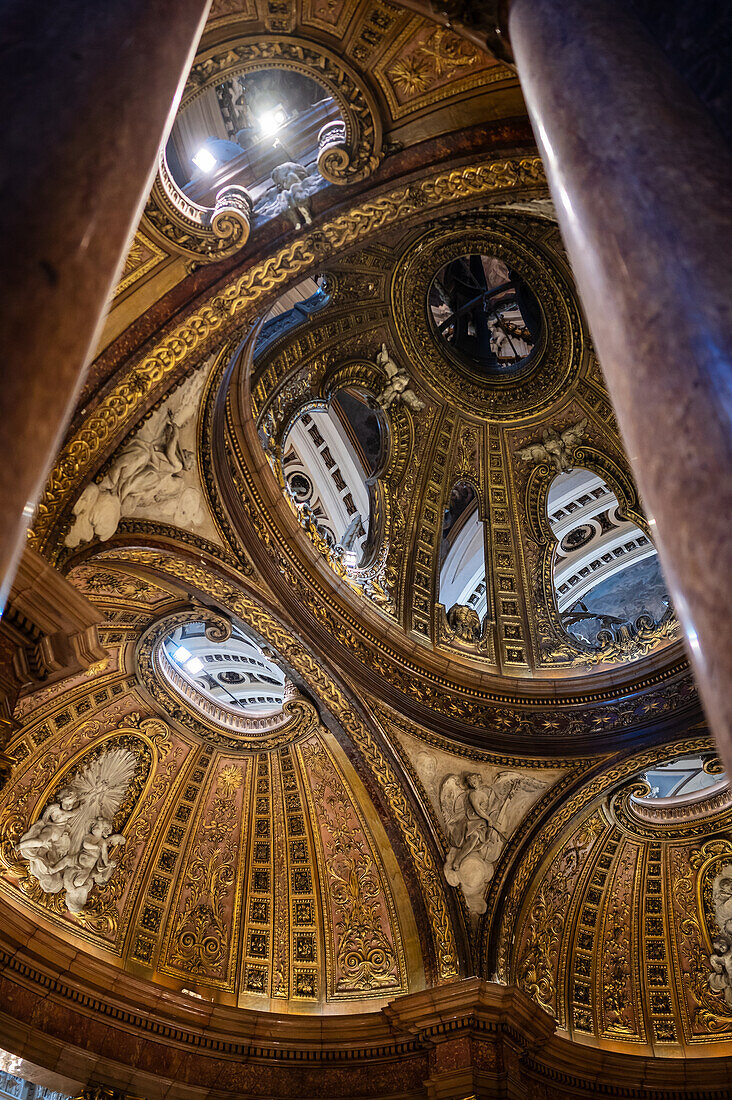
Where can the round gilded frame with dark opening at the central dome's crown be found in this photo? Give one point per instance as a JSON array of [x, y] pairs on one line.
[[507, 350]]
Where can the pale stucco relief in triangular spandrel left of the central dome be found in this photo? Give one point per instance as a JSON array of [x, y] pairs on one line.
[[154, 475]]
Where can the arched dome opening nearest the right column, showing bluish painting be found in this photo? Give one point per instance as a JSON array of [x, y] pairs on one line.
[[606, 569]]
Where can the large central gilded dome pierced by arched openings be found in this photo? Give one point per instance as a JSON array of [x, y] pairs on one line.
[[495, 535]]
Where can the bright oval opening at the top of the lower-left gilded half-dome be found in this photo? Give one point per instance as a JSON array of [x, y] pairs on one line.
[[236, 675]]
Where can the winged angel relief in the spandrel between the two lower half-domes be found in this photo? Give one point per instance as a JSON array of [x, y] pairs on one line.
[[479, 819]]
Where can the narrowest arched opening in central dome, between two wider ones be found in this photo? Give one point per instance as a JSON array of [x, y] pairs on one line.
[[463, 553]]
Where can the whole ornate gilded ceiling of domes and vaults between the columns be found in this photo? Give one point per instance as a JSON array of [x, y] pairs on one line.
[[391, 665]]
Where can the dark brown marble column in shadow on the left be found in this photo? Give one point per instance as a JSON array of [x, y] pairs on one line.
[[89, 91]]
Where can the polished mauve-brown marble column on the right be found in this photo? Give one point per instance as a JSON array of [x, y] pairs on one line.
[[642, 182]]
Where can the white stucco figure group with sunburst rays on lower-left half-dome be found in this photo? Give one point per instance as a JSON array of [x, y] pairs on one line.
[[69, 849]]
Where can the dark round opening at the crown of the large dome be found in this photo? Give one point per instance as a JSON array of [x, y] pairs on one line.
[[486, 313]]
